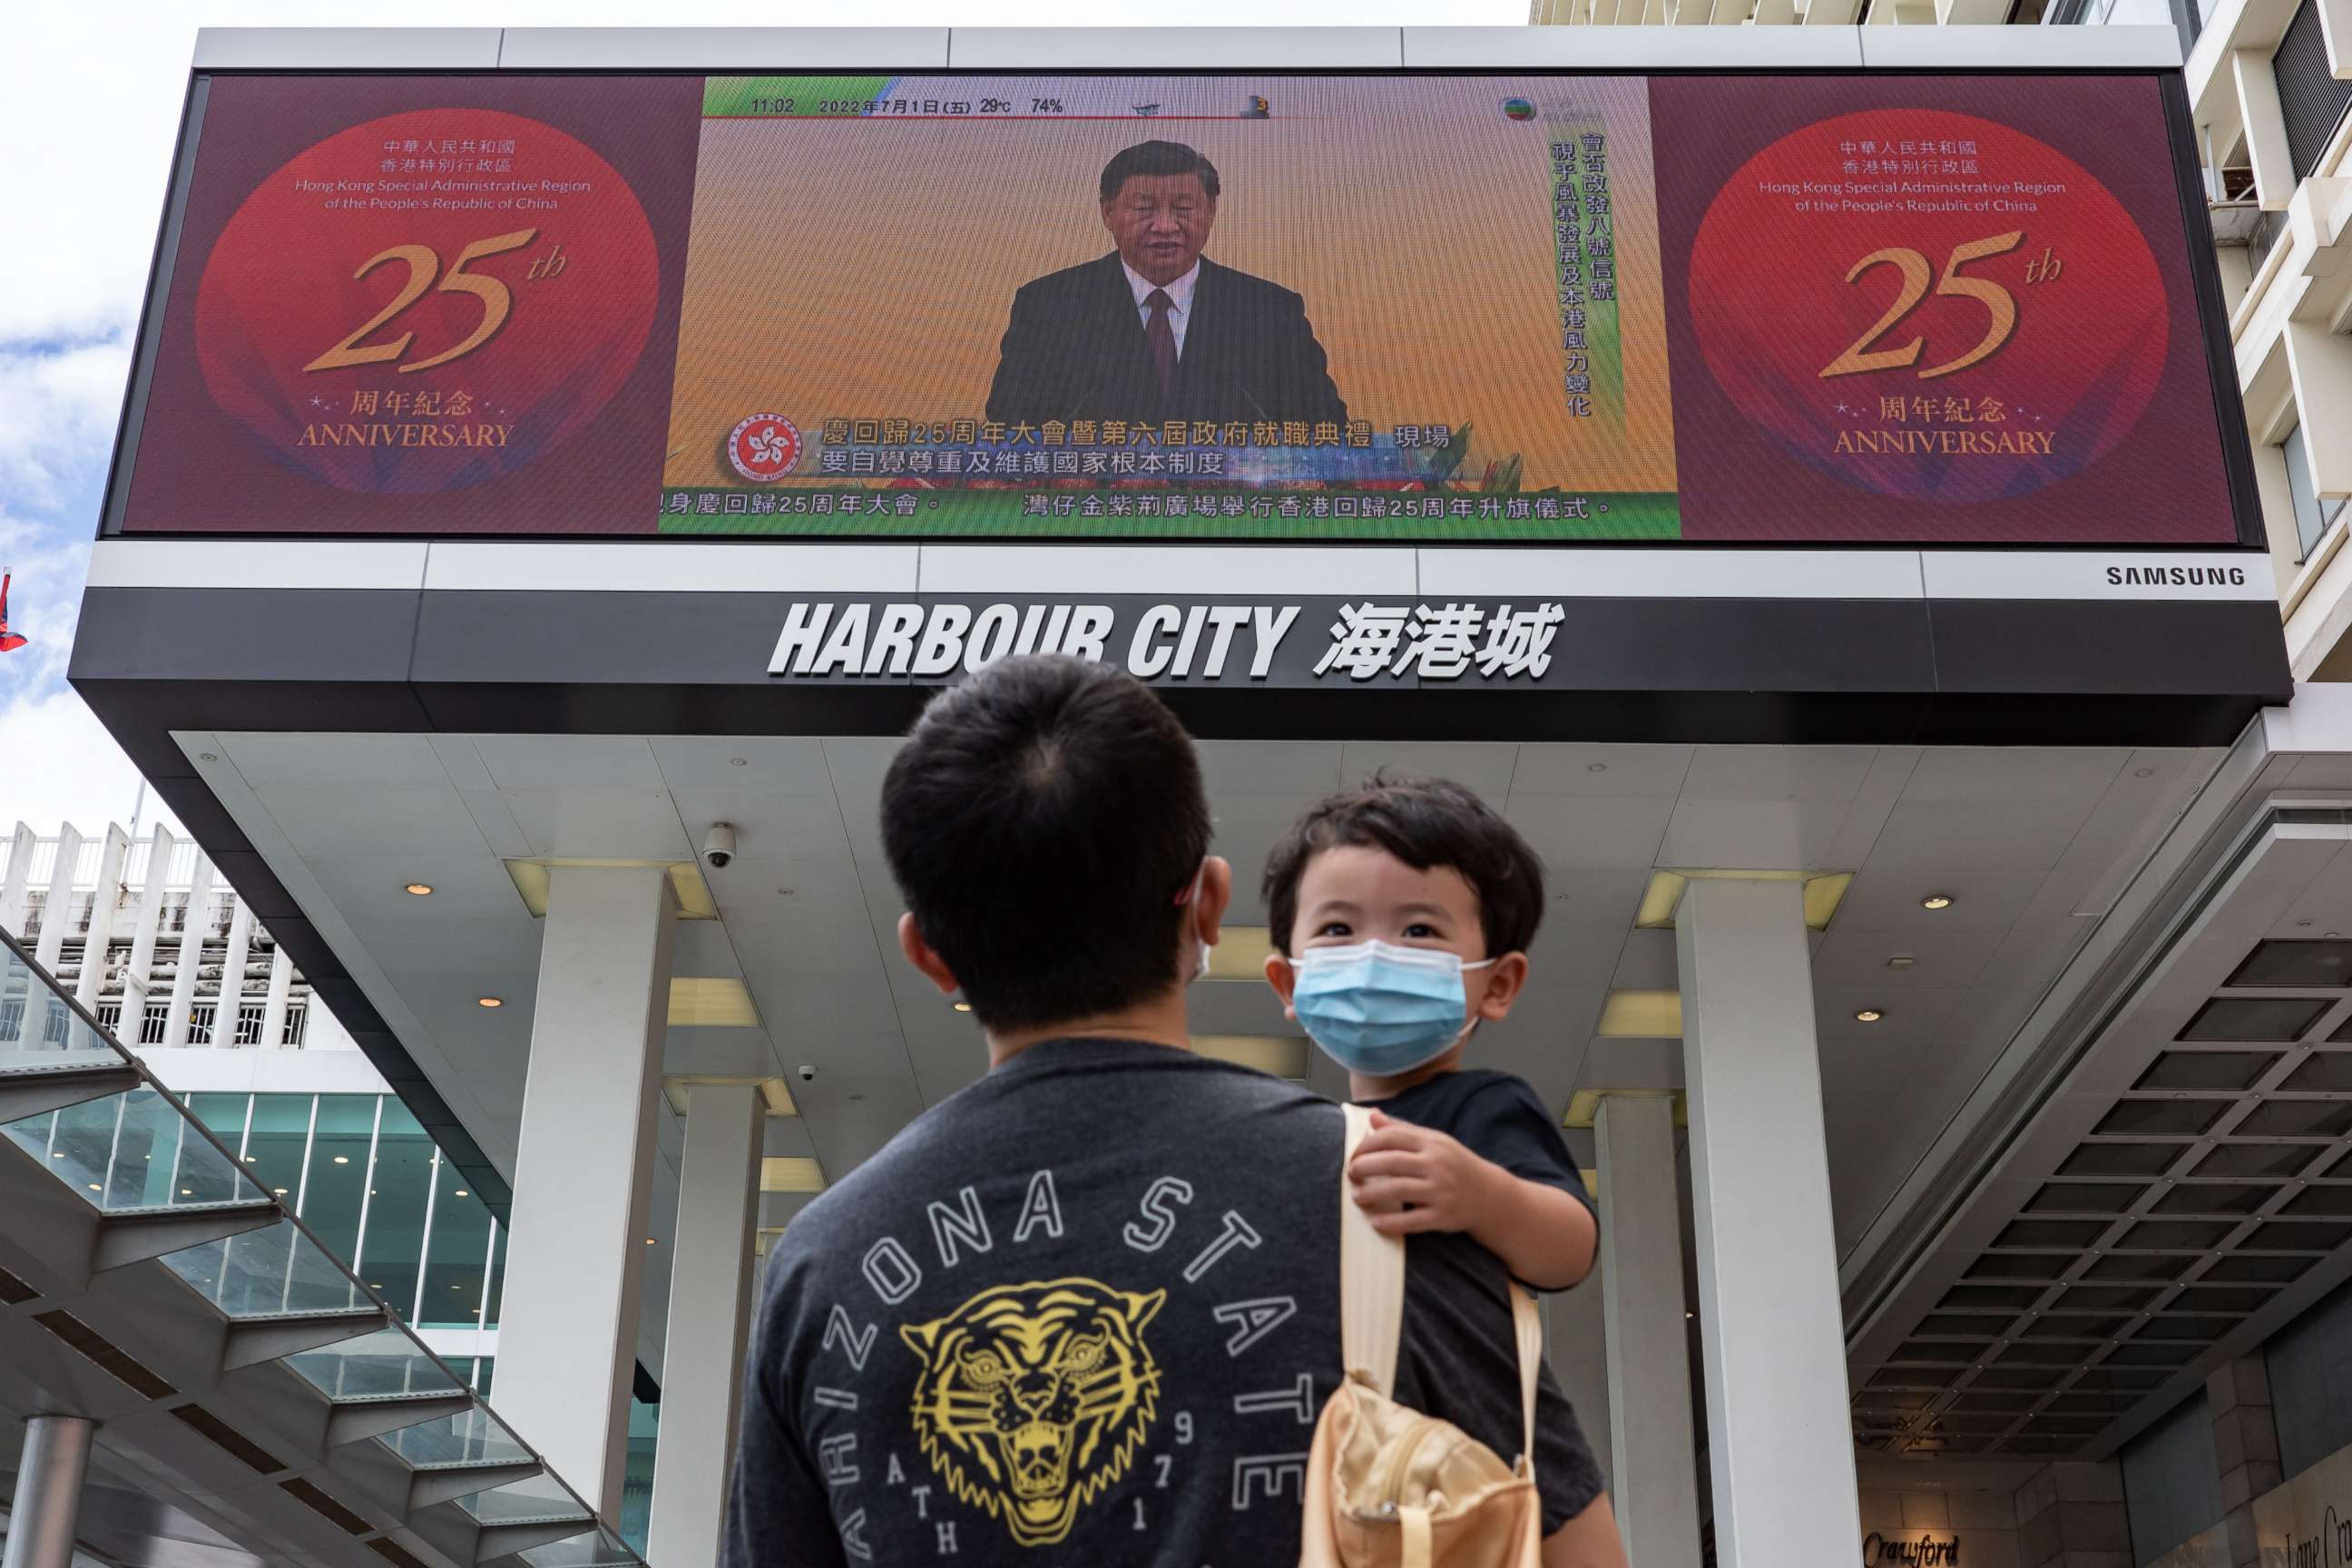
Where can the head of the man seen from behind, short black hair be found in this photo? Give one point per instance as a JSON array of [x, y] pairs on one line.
[[1050, 833]]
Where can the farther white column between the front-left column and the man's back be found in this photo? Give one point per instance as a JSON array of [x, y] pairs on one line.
[[702, 1355]]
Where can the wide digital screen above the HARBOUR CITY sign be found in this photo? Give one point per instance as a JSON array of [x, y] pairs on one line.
[[1857, 309]]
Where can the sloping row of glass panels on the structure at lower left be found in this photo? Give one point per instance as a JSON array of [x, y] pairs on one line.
[[131, 1151]]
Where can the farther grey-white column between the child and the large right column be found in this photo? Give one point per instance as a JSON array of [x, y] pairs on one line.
[[1655, 1468]]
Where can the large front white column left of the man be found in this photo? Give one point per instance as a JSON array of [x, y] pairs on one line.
[[575, 1257]]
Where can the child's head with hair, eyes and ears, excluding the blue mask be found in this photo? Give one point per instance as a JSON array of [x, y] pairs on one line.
[[1412, 864]]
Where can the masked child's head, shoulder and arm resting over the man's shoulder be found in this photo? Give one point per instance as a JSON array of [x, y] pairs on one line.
[[1401, 920]]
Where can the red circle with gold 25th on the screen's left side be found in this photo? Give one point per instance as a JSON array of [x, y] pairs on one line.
[[429, 300]]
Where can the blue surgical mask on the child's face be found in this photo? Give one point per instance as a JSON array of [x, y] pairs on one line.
[[1382, 1010]]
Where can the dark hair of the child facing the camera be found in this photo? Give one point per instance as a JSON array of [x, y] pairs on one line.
[[1422, 822]]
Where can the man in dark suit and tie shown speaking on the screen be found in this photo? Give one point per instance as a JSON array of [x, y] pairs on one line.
[[1156, 330]]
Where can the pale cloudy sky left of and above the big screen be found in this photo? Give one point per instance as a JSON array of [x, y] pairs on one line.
[[88, 112]]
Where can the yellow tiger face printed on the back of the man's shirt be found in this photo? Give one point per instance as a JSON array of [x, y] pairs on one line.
[[1036, 1398]]
